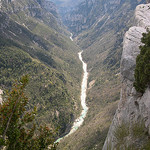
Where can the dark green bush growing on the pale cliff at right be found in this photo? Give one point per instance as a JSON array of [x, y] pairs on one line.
[[142, 70]]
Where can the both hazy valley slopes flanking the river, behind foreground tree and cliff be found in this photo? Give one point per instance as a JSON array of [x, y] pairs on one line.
[[35, 40]]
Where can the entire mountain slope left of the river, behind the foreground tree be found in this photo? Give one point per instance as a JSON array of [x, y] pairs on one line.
[[31, 42]]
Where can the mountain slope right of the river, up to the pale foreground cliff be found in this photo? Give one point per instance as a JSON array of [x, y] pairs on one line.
[[98, 27]]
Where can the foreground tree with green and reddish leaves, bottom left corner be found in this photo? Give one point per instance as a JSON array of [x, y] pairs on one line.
[[17, 128]]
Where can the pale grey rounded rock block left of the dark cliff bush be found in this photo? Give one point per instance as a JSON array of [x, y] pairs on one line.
[[132, 41]]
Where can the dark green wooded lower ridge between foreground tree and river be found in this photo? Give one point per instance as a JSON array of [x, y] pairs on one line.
[[46, 87]]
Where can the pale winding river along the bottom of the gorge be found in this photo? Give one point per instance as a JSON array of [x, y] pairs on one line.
[[79, 121]]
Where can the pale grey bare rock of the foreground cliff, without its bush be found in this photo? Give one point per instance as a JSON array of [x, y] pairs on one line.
[[133, 107]]
